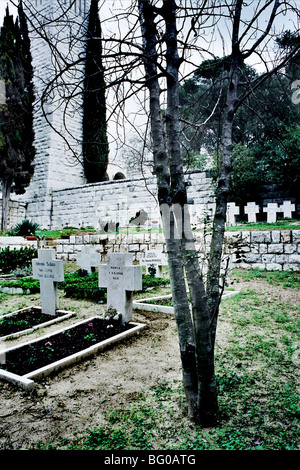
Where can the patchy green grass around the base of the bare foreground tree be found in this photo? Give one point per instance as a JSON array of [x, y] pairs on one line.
[[257, 367]]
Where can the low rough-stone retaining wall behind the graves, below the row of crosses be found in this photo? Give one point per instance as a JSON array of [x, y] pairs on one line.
[[271, 250]]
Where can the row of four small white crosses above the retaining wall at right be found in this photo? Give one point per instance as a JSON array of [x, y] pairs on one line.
[[251, 209]]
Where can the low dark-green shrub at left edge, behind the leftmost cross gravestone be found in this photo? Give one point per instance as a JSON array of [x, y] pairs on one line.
[[16, 258]]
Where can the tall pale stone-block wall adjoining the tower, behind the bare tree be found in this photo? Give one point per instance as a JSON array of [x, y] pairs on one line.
[[119, 201]]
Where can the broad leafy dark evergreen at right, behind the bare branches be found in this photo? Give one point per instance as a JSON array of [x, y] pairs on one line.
[[265, 128]]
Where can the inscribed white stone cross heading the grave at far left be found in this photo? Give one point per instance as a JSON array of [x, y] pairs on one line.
[[48, 271]]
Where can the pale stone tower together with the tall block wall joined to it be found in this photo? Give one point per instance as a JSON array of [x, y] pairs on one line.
[[58, 194]]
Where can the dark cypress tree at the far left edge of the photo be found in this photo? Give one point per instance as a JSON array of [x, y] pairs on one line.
[[16, 114]]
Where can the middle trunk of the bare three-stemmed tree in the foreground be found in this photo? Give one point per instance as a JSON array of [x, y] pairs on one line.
[[205, 406]]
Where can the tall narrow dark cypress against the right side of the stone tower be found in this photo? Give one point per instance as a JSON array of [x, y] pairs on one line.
[[95, 144]]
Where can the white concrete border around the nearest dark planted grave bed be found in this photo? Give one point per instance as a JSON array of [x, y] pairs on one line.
[[26, 381]]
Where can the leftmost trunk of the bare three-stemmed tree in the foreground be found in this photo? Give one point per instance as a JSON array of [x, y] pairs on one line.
[[161, 166]]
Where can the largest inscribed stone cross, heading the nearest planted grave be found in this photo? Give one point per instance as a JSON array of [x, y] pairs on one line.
[[120, 278]]
